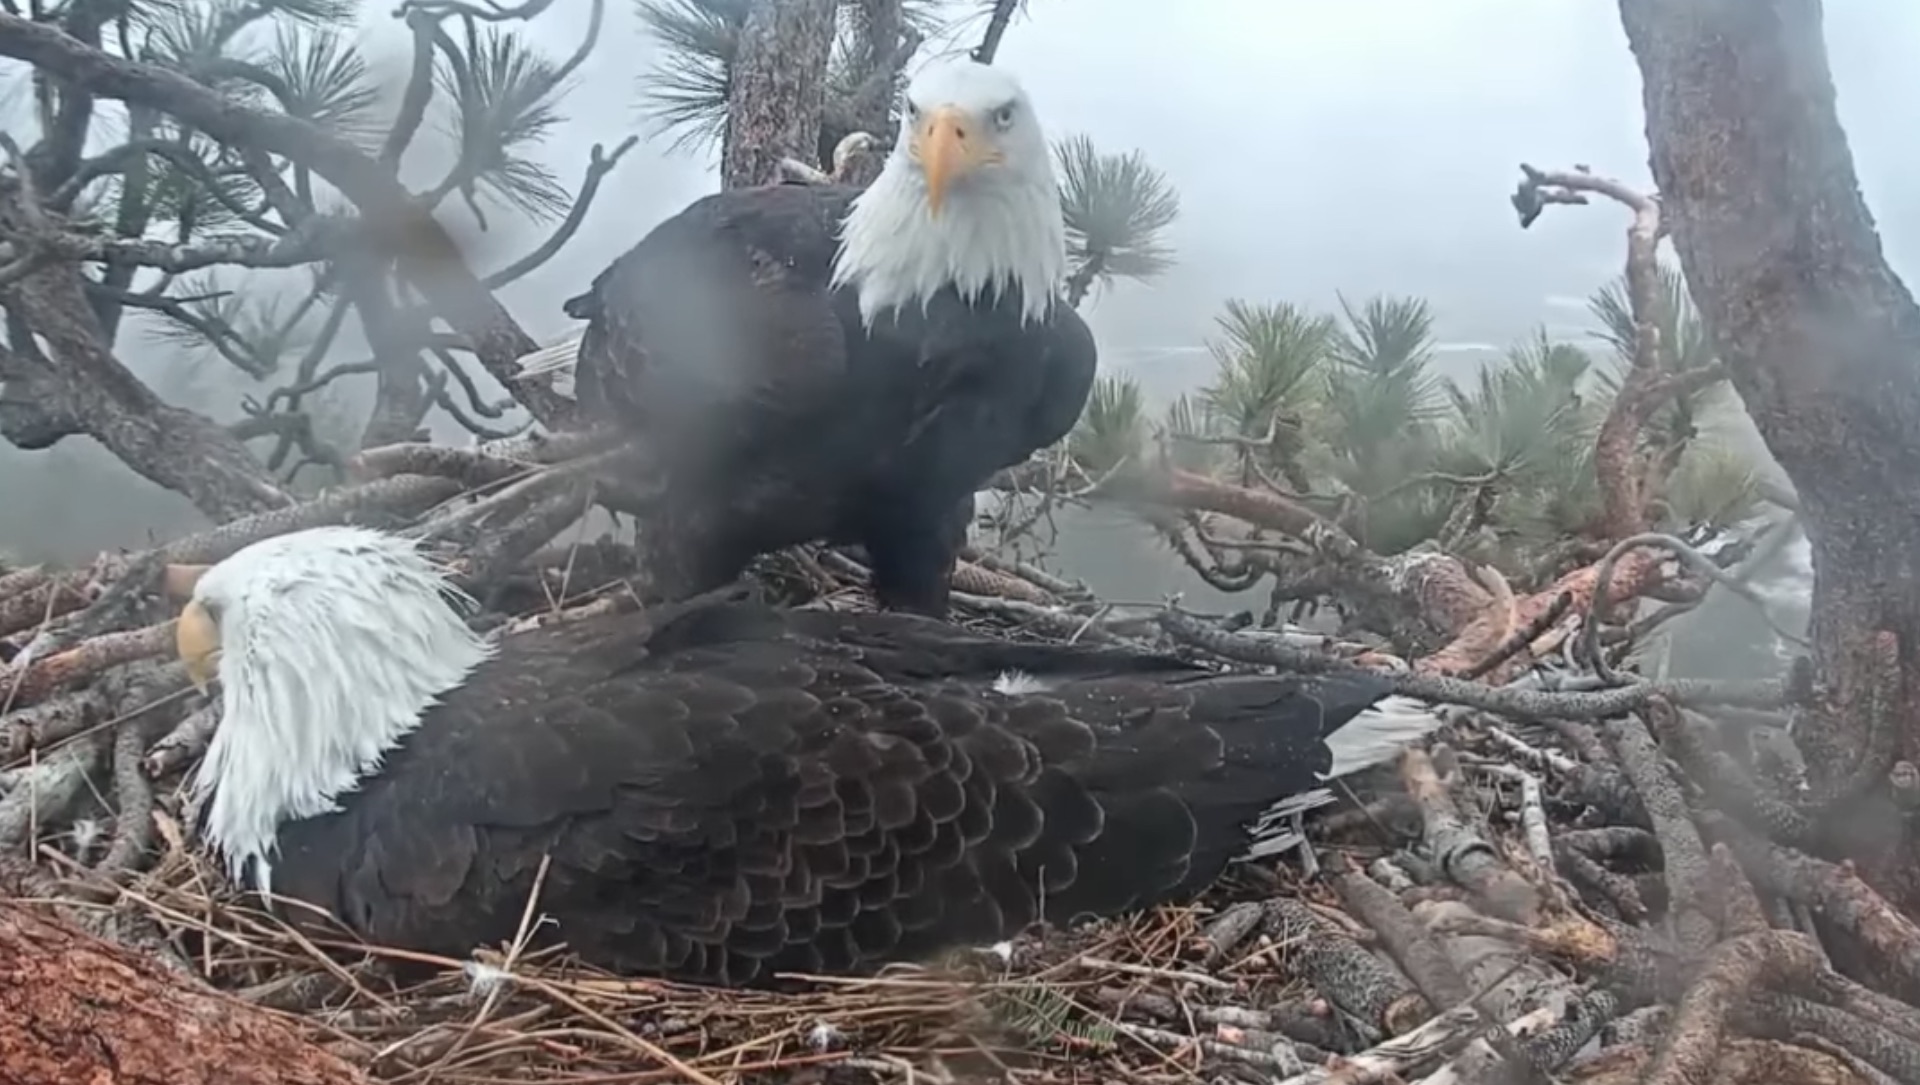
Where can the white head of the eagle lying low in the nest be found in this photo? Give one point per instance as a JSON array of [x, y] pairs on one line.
[[329, 644]]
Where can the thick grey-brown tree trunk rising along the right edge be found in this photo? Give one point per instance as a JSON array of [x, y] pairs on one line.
[[1821, 339]]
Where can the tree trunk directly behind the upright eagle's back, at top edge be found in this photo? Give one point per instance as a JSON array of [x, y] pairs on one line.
[[779, 89]]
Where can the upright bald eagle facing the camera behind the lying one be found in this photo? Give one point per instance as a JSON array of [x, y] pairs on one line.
[[827, 362]]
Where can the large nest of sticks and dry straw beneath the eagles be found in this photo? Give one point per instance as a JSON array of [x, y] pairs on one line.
[[1579, 880]]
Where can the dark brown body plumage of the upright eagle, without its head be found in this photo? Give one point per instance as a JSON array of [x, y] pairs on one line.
[[784, 420]]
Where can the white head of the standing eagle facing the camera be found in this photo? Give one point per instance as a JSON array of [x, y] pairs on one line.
[[967, 201]]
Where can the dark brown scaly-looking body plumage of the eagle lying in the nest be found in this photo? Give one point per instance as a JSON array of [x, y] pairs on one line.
[[731, 792]]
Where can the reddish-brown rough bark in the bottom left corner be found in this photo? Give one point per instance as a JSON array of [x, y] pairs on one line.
[[76, 1011]]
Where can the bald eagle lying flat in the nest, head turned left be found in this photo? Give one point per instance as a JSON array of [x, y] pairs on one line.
[[725, 790]]
